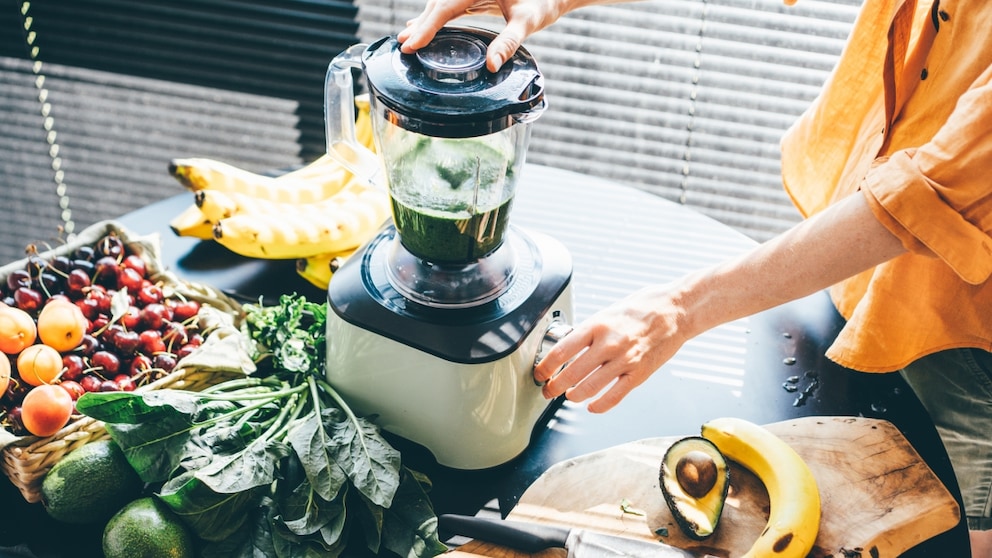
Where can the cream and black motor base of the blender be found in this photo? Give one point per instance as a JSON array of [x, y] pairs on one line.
[[474, 412]]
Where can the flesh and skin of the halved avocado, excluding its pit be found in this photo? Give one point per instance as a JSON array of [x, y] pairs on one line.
[[697, 517]]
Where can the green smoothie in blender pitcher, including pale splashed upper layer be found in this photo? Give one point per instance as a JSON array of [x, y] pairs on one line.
[[451, 199]]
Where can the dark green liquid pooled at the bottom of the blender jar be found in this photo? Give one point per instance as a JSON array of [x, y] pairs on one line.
[[443, 238]]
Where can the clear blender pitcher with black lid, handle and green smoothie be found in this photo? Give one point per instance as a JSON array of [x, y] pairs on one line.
[[451, 138]]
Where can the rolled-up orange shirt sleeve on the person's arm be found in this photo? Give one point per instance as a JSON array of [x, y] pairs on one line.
[[938, 198]]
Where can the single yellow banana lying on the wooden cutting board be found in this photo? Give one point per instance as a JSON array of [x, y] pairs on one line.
[[794, 518]]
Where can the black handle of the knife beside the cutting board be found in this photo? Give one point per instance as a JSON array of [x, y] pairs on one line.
[[527, 537]]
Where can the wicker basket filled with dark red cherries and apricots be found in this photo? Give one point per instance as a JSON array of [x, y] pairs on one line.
[[98, 314]]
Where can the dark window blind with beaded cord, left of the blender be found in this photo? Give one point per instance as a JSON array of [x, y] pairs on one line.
[[108, 91]]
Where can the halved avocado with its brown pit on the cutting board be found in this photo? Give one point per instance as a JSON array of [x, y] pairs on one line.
[[695, 479]]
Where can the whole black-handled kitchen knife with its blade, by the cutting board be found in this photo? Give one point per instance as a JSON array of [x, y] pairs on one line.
[[535, 537]]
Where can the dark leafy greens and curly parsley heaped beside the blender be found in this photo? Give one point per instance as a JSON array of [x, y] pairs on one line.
[[274, 464]]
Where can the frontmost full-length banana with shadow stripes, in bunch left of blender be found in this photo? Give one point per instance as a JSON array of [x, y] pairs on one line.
[[340, 223]]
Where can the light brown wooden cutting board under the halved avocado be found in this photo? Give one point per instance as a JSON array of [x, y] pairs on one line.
[[878, 497]]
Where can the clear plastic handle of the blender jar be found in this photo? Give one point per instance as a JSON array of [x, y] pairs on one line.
[[339, 118]]
